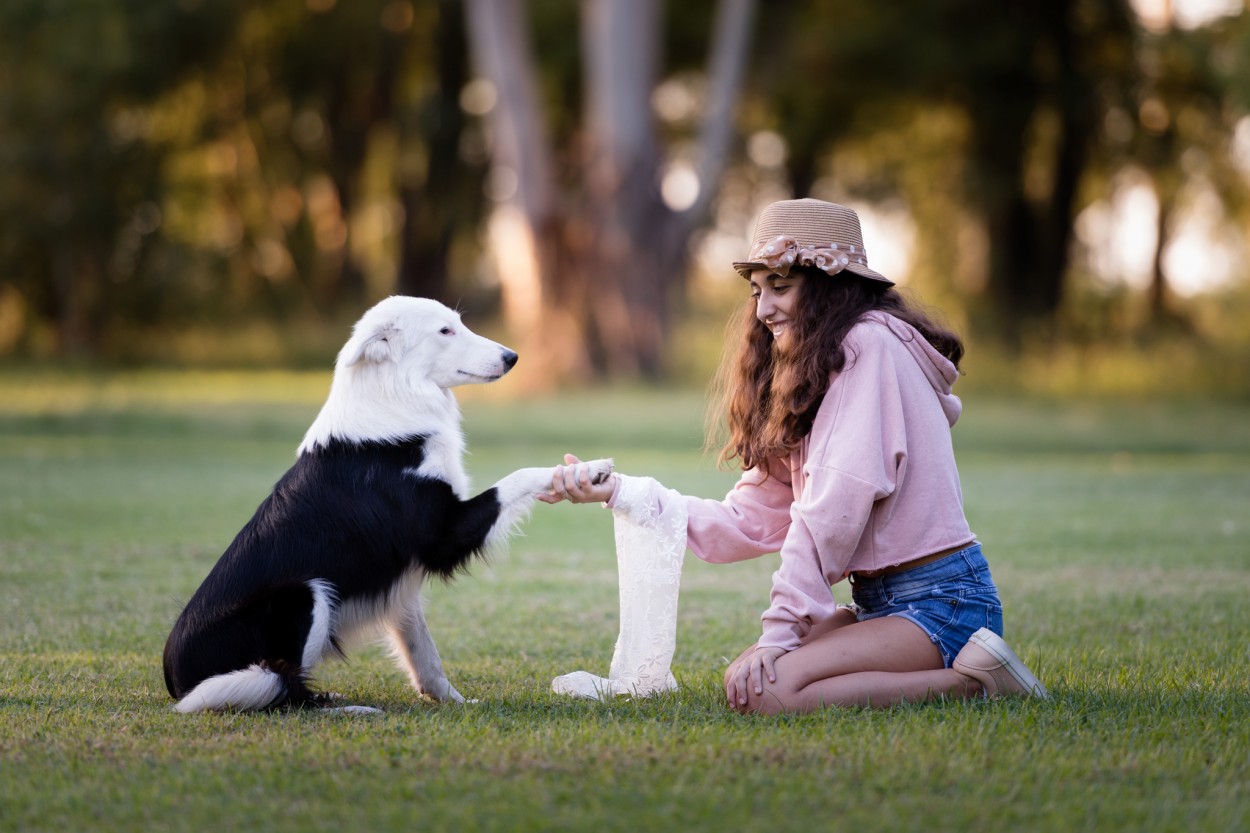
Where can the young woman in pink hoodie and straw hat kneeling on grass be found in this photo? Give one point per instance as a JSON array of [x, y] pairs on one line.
[[839, 410]]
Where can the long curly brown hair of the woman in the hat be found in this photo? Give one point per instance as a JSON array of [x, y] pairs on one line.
[[767, 393]]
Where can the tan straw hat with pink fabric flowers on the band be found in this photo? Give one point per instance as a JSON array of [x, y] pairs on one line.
[[809, 233]]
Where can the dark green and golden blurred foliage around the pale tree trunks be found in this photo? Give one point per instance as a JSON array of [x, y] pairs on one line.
[[199, 182]]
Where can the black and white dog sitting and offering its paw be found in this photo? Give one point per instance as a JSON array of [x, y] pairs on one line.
[[377, 501]]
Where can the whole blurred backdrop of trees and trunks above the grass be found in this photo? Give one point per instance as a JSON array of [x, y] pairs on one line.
[[229, 183]]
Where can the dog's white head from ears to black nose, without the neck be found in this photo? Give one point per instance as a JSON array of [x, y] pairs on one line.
[[423, 341]]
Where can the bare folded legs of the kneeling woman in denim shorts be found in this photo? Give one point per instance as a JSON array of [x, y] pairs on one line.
[[878, 664]]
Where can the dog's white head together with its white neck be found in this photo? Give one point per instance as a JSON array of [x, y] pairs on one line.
[[394, 376]]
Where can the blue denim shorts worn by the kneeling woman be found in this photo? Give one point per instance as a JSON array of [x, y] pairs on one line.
[[951, 600]]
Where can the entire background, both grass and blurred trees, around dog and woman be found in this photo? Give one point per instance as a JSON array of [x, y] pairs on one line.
[[198, 198]]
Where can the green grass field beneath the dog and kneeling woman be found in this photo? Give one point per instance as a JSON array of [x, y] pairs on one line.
[[1119, 537]]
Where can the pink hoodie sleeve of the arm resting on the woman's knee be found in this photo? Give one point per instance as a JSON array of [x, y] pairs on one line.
[[857, 455]]
